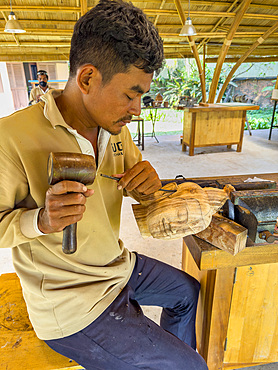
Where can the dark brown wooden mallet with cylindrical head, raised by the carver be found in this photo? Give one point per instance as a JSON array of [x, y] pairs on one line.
[[74, 167]]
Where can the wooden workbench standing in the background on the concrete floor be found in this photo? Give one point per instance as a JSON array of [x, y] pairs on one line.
[[216, 124]]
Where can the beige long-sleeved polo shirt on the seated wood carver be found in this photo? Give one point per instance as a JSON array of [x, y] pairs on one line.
[[64, 293]]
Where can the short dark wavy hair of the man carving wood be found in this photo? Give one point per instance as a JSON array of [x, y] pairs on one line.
[[112, 36]]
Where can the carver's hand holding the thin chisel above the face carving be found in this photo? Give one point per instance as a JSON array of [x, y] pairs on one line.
[[141, 177]]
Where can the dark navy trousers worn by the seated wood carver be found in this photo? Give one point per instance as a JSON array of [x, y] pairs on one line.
[[123, 338]]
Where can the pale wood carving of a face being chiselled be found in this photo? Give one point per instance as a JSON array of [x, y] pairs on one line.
[[188, 210]]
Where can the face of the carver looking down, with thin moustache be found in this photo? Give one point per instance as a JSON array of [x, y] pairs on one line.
[[112, 106]]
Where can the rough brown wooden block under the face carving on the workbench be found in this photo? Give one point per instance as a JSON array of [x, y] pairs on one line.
[[225, 234]]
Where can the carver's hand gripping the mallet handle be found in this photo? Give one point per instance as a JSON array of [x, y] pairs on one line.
[[64, 205]]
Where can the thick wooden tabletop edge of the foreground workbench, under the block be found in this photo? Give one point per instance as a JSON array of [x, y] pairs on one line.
[[208, 257]]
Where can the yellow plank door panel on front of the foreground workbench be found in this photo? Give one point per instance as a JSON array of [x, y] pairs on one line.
[[253, 316]]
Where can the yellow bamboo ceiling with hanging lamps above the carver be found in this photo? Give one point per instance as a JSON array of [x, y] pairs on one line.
[[49, 25]]
